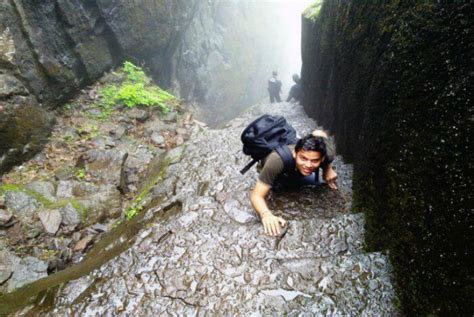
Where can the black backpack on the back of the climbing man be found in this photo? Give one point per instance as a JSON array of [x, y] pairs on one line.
[[265, 134]]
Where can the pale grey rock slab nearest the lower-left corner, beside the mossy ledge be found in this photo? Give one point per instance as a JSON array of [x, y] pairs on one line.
[[27, 271]]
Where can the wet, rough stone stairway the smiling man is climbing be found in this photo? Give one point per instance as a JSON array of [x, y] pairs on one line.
[[211, 257]]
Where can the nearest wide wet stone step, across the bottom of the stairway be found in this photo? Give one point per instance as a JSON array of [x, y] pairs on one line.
[[342, 285]]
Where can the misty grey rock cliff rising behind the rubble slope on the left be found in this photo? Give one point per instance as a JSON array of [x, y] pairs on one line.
[[50, 49]]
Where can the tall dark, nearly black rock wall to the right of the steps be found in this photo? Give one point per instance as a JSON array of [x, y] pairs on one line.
[[393, 83]]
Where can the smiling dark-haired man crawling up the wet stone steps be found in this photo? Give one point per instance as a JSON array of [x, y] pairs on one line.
[[308, 155]]
